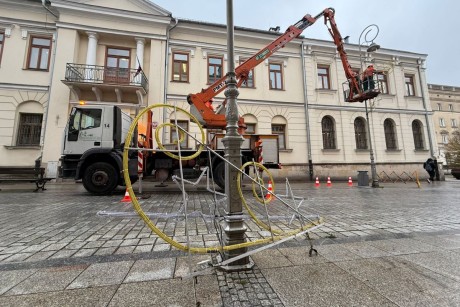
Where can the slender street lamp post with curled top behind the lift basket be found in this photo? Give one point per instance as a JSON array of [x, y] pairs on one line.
[[372, 47]]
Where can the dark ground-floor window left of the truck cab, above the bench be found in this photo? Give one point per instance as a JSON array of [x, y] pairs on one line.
[[30, 126]]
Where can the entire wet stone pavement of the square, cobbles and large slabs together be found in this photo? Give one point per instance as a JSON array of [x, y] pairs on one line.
[[393, 246]]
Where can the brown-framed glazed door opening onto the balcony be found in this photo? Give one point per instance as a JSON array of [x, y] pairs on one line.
[[117, 65]]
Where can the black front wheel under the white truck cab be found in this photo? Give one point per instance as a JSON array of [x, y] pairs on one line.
[[100, 178]]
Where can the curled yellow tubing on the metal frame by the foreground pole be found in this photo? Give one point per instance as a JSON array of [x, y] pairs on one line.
[[168, 239]]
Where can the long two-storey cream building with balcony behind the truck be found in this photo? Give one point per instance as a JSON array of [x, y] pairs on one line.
[[297, 93]]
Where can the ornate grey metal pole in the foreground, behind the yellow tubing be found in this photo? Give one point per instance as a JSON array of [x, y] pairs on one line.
[[234, 228]]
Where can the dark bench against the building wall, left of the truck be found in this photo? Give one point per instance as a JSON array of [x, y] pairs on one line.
[[24, 174]]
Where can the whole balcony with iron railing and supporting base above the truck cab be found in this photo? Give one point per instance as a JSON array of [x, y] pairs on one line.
[[106, 84]]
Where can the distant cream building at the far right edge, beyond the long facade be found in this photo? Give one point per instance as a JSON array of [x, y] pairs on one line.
[[445, 102]]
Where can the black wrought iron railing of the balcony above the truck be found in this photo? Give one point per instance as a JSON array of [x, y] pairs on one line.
[[83, 73]]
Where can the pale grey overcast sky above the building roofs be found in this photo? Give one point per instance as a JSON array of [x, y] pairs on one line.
[[421, 26]]
